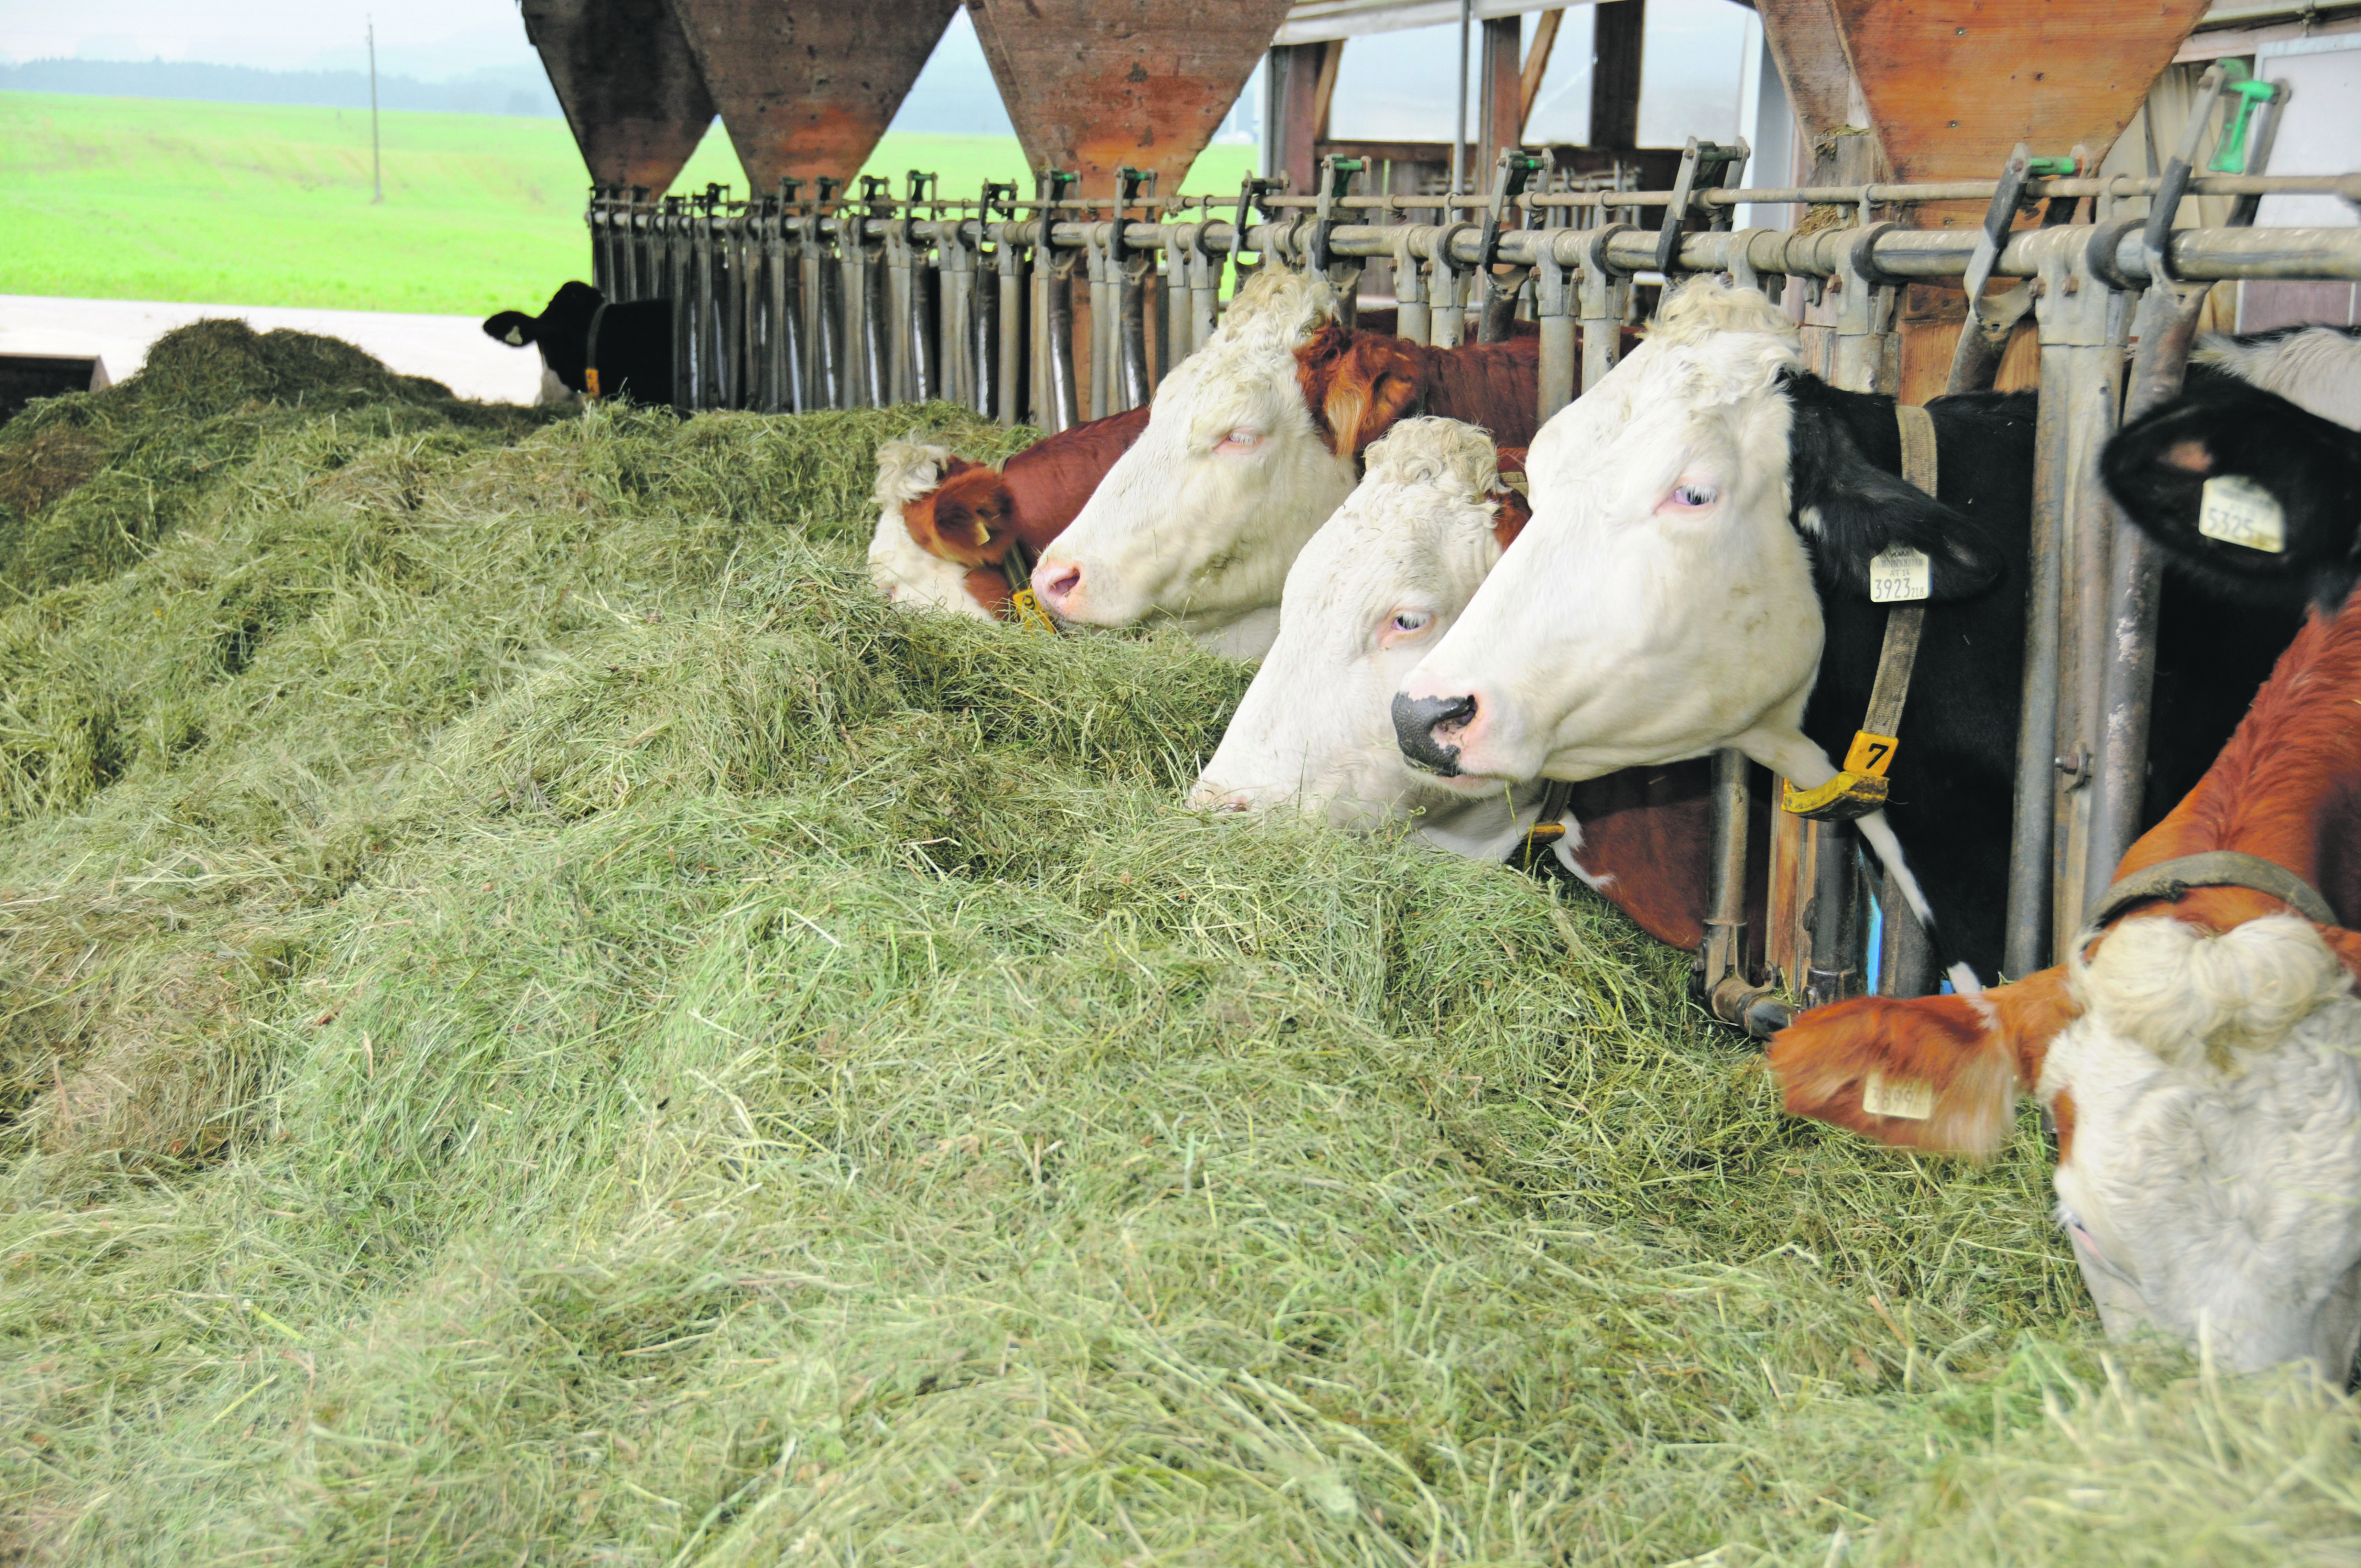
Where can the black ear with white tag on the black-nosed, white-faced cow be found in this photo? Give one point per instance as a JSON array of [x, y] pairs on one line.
[[1855, 511]]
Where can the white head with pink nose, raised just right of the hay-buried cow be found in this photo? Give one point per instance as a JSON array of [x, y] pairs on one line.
[[1234, 473]]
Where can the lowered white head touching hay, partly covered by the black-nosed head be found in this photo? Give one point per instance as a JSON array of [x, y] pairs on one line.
[[1378, 587]]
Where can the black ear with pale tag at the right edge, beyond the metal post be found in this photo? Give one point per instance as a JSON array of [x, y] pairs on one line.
[[2289, 471]]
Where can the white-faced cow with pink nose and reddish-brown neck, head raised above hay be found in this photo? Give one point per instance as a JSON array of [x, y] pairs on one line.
[[1250, 445]]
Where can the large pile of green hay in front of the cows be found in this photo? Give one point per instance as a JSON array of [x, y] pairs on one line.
[[539, 1021]]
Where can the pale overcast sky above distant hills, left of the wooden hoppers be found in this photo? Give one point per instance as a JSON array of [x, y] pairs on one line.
[[429, 39]]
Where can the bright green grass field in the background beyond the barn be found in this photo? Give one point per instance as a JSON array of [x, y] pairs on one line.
[[143, 200]]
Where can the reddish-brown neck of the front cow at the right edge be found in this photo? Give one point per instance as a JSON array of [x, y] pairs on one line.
[[2284, 792]]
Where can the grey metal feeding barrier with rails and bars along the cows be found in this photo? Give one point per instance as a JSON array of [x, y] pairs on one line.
[[849, 301]]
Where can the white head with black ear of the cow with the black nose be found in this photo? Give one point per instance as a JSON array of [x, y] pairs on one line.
[[1666, 599]]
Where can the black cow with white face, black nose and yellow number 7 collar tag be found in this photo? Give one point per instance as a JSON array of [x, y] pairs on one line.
[[1699, 575]]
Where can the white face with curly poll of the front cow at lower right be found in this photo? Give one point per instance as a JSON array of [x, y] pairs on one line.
[[2209, 1109]]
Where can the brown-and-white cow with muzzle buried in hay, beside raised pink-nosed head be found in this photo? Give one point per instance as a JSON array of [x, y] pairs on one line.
[[946, 525]]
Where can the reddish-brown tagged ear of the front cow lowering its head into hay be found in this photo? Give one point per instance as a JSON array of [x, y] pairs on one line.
[[1928, 1073]]
